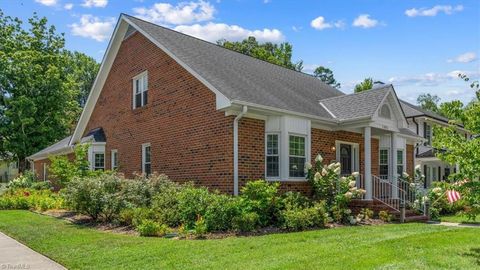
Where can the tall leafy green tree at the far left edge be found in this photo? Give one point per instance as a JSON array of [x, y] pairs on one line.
[[40, 89]]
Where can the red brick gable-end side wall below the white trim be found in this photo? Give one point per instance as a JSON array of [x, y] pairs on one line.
[[190, 139]]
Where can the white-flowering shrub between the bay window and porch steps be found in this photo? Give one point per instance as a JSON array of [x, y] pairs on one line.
[[336, 191]]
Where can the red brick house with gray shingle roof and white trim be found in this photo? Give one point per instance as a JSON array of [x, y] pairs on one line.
[[170, 103]]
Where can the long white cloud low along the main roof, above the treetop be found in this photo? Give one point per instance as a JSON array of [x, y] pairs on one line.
[[216, 31]]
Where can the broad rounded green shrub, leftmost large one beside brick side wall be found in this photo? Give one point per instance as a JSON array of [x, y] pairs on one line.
[[98, 196]]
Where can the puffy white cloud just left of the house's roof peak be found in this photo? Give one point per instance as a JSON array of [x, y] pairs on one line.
[[93, 27]]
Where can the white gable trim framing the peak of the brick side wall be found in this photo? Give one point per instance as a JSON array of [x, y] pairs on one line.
[[114, 45]]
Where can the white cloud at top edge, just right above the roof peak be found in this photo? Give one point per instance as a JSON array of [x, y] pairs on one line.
[[182, 13]]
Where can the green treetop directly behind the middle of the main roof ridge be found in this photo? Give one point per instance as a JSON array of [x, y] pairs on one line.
[[278, 54]]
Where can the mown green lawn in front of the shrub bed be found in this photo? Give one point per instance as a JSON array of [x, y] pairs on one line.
[[406, 246]]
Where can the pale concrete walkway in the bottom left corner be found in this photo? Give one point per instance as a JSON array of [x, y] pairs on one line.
[[14, 255]]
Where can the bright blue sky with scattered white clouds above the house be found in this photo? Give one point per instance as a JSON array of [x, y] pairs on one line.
[[419, 46]]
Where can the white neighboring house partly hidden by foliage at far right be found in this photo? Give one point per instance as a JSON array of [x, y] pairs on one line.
[[421, 122]]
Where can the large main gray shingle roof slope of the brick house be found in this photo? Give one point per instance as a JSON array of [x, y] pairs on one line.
[[244, 78]]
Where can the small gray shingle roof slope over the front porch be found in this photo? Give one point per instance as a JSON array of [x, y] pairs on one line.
[[358, 105]]
